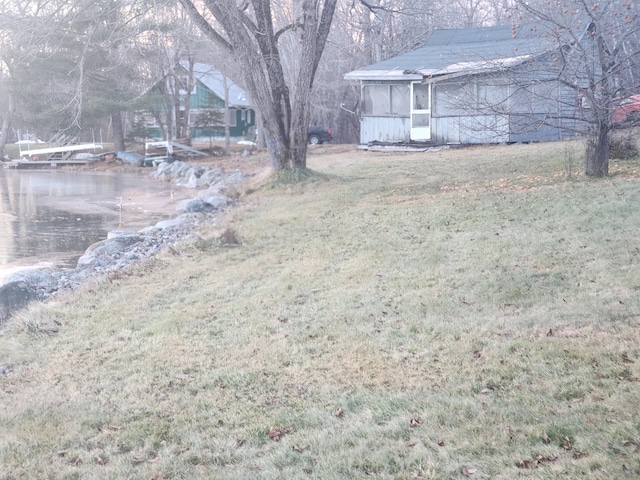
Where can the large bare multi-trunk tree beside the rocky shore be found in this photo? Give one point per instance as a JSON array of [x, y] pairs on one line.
[[250, 35]]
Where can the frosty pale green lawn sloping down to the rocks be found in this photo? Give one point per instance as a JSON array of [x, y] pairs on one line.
[[469, 313]]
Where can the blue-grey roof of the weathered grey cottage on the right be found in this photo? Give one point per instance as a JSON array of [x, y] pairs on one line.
[[467, 50]]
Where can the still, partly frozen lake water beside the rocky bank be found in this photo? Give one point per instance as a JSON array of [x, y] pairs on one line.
[[50, 217]]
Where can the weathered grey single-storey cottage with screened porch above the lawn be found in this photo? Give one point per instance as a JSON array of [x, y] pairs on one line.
[[489, 85]]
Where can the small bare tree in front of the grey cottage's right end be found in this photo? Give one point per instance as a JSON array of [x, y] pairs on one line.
[[597, 58]]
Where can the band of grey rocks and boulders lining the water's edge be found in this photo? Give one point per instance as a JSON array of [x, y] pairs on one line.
[[122, 248]]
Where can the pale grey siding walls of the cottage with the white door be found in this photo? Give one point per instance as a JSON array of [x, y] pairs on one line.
[[491, 108]]
